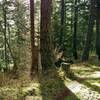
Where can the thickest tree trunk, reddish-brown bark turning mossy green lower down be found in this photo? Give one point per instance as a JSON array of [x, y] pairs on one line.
[[45, 35]]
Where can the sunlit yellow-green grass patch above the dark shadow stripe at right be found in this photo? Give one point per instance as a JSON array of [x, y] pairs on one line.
[[86, 70]]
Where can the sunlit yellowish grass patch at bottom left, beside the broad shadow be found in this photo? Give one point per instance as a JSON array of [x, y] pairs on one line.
[[31, 89]]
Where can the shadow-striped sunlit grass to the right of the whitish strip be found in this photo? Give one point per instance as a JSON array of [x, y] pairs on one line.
[[85, 73]]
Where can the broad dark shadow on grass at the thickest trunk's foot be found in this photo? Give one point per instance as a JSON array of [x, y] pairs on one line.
[[53, 88]]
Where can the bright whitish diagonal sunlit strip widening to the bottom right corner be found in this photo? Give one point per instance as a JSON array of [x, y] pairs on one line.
[[80, 90]]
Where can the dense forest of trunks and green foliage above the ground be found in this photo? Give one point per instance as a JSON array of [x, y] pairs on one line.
[[38, 36]]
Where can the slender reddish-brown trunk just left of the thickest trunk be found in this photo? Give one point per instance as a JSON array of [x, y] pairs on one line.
[[34, 66]]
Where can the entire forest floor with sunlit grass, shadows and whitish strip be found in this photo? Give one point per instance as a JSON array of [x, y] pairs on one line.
[[82, 84]]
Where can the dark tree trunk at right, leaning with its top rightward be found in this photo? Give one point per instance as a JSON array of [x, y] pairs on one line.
[[85, 56]]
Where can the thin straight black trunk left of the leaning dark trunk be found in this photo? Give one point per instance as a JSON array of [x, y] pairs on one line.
[[75, 32]]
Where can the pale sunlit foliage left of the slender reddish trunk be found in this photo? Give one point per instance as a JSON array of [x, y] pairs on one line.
[[14, 26]]
